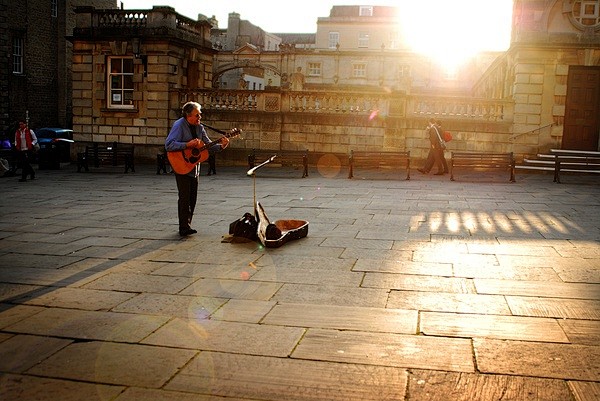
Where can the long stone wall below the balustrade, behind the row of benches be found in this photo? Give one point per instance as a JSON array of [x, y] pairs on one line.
[[338, 134]]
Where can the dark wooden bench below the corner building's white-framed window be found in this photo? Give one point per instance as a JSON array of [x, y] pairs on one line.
[[111, 154]]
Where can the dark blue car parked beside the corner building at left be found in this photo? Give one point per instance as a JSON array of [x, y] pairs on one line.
[[55, 146]]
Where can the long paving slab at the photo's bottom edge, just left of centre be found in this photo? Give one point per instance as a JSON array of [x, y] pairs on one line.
[[259, 377]]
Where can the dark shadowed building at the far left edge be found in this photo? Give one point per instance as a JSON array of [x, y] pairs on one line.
[[35, 82]]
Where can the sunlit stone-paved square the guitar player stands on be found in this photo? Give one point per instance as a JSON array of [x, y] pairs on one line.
[[425, 289]]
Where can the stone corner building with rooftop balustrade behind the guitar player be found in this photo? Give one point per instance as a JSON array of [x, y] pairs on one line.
[[128, 70]]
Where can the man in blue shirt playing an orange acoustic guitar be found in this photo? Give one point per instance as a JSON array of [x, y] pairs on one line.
[[187, 134]]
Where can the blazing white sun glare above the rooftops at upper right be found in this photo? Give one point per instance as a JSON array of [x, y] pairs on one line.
[[451, 32]]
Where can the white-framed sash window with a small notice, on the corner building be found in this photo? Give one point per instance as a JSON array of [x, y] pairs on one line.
[[120, 78]]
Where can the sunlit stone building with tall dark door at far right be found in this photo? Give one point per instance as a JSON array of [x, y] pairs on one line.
[[552, 74]]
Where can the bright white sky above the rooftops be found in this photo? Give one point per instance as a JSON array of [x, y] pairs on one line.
[[463, 26]]
